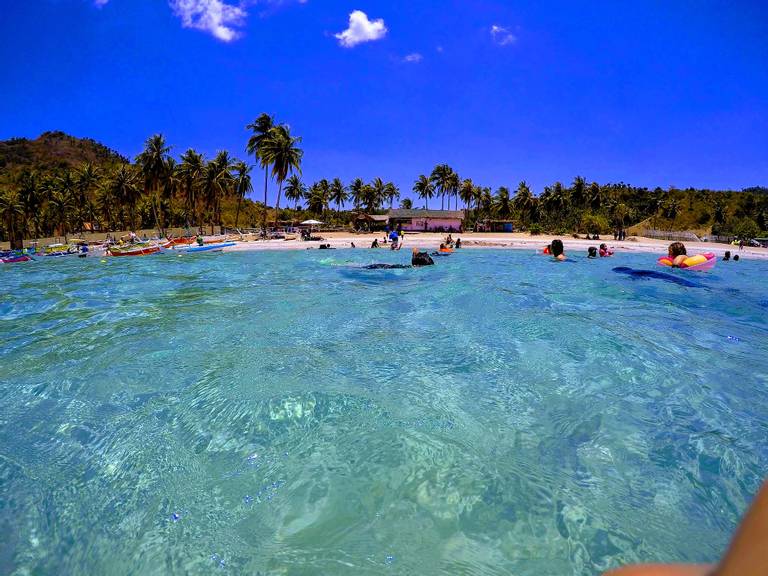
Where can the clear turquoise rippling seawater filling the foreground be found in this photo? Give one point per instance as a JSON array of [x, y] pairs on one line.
[[281, 413]]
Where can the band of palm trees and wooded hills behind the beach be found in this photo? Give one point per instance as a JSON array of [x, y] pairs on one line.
[[59, 184]]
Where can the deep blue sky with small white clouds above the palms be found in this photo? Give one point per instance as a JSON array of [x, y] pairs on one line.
[[651, 93]]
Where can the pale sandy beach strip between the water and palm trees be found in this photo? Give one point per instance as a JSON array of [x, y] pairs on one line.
[[500, 241]]
